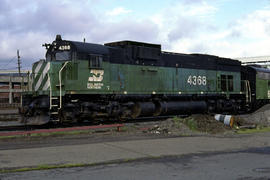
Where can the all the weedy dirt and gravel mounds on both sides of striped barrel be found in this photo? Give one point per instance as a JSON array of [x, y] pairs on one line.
[[200, 124]]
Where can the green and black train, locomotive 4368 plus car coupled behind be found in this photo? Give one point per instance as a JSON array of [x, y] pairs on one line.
[[128, 79]]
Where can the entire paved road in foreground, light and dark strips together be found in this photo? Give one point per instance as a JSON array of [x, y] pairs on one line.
[[192, 157]]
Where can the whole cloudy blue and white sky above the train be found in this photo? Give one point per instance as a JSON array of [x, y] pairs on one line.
[[227, 28]]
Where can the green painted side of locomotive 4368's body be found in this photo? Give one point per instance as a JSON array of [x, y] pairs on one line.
[[78, 78]]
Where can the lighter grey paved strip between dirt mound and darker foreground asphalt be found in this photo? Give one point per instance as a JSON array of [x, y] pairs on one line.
[[58, 152]]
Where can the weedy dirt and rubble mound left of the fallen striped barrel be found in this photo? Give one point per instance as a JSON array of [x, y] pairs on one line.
[[189, 126]]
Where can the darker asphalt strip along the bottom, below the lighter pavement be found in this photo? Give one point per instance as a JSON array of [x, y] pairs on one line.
[[247, 164]]
